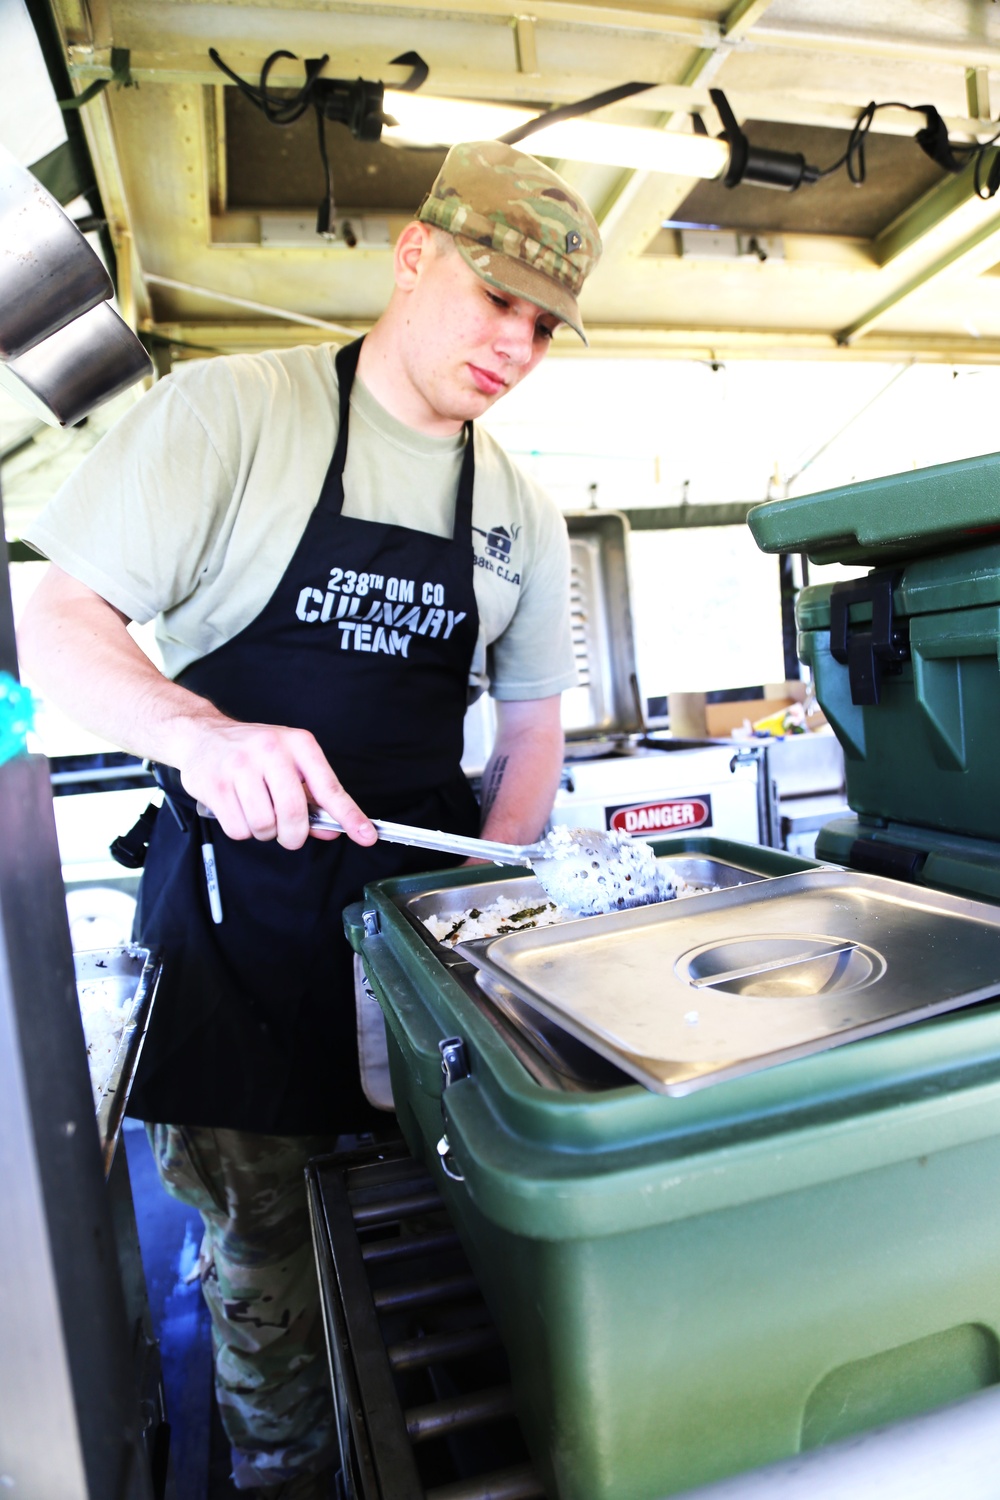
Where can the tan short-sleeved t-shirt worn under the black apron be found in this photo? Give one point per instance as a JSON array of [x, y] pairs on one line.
[[190, 512]]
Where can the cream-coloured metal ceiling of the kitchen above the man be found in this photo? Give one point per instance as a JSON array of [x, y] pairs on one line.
[[193, 179]]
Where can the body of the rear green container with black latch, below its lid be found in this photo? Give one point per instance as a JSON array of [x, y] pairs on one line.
[[906, 670]]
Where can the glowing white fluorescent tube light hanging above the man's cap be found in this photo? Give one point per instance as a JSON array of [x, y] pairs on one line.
[[427, 121]]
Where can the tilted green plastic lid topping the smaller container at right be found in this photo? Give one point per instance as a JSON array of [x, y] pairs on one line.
[[887, 520]]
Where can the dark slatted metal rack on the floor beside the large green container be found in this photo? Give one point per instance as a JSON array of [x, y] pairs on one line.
[[421, 1379]]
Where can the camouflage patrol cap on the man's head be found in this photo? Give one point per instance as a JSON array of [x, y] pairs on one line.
[[519, 226]]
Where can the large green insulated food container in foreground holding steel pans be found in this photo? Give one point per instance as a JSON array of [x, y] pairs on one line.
[[690, 1288]]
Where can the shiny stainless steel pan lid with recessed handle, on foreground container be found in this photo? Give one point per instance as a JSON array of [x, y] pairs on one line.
[[690, 994]]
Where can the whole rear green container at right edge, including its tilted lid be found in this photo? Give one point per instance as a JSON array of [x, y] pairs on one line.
[[906, 661]]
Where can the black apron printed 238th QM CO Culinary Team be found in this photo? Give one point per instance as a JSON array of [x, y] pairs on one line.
[[368, 643]]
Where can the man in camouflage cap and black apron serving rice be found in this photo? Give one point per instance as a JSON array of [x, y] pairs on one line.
[[325, 611]]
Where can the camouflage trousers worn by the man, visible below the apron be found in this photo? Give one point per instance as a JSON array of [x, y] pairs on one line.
[[260, 1282]]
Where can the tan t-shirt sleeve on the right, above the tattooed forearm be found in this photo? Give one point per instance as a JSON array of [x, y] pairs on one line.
[[534, 655]]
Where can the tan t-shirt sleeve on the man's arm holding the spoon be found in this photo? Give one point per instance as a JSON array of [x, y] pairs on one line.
[[139, 520]]
